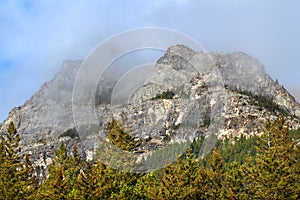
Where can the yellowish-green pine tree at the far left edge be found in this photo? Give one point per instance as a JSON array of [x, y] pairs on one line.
[[16, 173]]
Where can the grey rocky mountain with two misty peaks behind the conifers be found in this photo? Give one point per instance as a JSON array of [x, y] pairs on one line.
[[227, 94]]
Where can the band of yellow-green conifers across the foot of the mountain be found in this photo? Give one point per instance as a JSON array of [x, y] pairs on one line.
[[265, 167]]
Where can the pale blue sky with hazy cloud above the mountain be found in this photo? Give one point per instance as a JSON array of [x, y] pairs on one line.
[[36, 36]]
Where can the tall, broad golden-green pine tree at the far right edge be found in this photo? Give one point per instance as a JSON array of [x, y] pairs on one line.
[[274, 172]]
